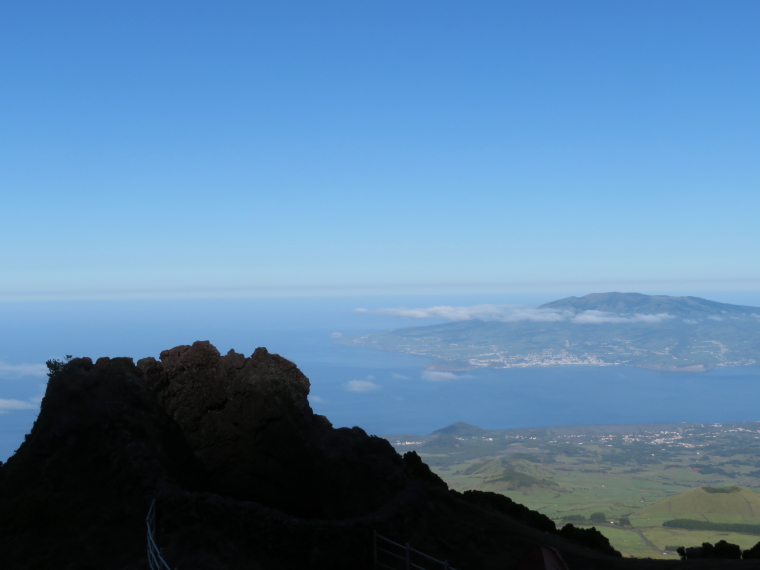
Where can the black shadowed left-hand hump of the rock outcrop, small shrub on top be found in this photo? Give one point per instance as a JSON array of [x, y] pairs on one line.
[[77, 490]]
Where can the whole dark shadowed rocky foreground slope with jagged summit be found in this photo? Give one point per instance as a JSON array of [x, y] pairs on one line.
[[243, 475]]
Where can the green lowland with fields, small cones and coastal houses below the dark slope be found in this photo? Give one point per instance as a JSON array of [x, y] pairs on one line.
[[616, 470]]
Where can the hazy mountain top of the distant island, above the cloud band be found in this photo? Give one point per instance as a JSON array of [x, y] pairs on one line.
[[638, 303]]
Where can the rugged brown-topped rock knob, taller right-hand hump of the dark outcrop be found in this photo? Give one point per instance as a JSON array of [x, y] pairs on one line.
[[249, 423]]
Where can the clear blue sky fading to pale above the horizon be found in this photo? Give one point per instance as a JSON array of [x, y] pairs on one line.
[[226, 148]]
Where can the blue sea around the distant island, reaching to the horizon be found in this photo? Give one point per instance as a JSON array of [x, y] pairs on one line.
[[396, 397]]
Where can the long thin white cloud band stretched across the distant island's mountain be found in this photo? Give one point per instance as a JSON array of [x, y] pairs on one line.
[[515, 313]]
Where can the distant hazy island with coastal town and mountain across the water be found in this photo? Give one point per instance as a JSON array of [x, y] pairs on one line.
[[601, 329]]
